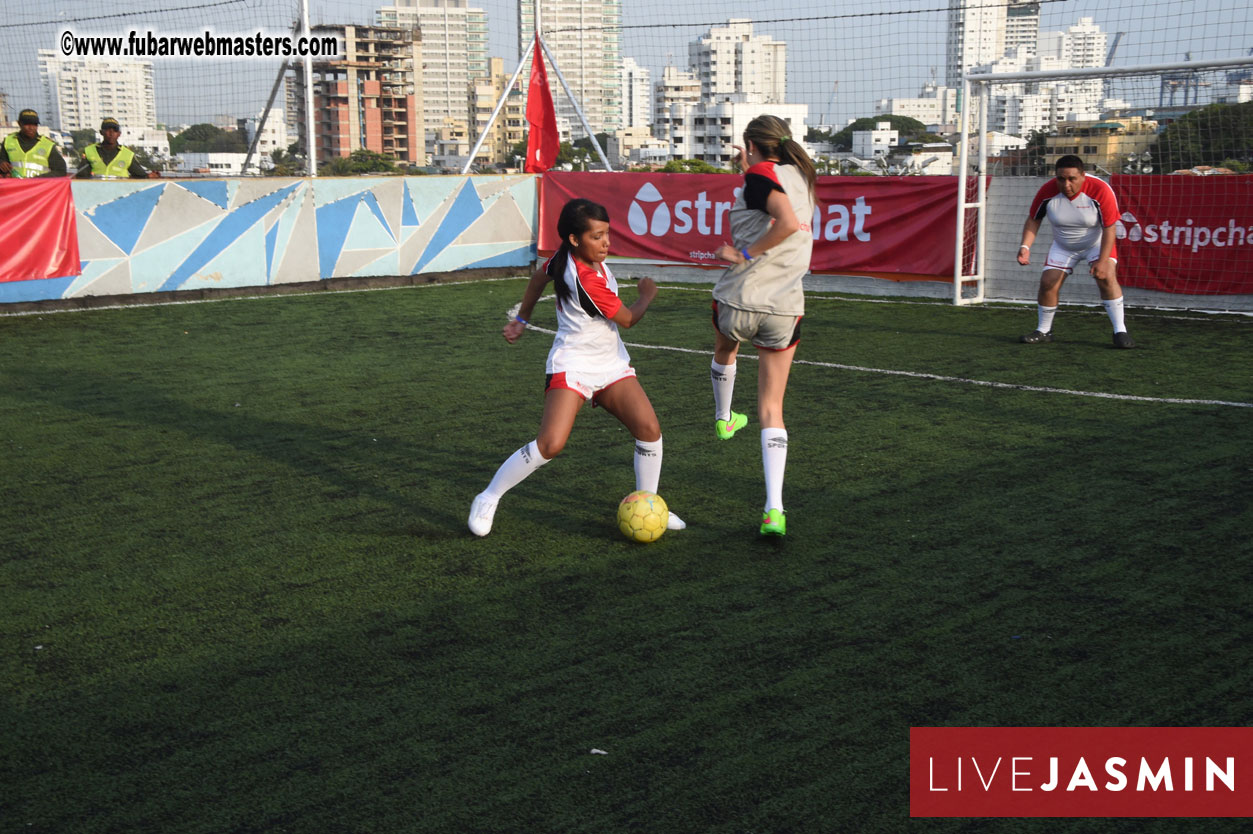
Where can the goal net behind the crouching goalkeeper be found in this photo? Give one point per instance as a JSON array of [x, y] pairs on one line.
[[1175, 142]]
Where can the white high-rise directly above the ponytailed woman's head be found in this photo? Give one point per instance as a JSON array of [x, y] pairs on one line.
[[731, 59]]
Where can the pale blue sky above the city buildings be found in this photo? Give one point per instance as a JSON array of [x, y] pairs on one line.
[[841, 57]]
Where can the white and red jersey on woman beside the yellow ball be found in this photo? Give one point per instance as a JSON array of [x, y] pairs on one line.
[[587, 340]]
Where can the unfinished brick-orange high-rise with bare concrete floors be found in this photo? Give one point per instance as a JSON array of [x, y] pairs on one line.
[[368, 98]]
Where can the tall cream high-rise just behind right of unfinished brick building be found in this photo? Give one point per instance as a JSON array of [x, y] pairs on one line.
[[454, 52]]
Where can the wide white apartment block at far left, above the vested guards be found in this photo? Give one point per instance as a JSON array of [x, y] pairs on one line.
[[80, 93]]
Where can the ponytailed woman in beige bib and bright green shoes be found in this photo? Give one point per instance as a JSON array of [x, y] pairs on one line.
[[760, 299]]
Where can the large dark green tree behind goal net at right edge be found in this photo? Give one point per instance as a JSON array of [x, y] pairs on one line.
[[1207, 137]]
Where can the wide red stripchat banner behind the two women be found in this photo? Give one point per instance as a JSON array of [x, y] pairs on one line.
[[863, 225]]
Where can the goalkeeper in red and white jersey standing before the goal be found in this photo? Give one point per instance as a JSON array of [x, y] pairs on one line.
[[1082, 211]]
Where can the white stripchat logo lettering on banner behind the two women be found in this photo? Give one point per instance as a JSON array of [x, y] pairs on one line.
[[650, 215]]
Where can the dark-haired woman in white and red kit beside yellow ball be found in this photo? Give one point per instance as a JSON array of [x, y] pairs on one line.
[[588, 360]]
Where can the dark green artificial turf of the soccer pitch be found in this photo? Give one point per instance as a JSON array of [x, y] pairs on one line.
[[240, 594]]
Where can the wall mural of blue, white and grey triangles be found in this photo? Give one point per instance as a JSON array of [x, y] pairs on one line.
[[159, 236]]
